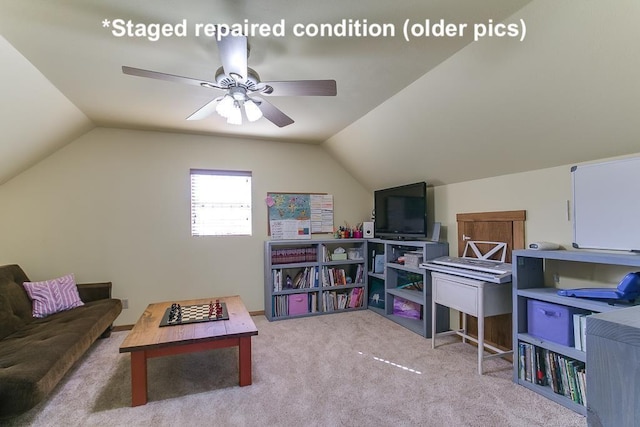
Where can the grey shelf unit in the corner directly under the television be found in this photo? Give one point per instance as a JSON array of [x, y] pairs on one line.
[[402, 283]]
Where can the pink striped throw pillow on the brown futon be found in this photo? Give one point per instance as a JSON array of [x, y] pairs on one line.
[[52, 296]]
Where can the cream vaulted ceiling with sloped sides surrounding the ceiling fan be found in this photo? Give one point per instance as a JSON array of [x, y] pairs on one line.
[[567, 92]]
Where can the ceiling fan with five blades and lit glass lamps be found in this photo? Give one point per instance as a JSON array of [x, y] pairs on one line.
[[244, 92]]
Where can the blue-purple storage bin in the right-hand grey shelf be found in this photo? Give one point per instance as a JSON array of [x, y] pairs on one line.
[[551, 322]]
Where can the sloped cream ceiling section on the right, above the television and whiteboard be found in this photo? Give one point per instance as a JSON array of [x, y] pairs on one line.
[[568, 93]]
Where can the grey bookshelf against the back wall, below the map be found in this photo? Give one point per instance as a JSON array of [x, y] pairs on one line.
[[311, 261]]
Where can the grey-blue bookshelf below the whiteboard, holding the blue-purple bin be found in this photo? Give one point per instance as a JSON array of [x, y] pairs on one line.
[[529, 270]]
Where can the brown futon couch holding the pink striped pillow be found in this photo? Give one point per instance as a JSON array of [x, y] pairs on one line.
[[35, 353]]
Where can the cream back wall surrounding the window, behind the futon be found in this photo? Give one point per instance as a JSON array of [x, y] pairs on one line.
[[114, 205]]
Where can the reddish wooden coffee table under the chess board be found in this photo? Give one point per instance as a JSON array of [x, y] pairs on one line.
[[147, 340]]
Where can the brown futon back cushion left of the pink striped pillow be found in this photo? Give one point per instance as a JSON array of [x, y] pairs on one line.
[[15, 306]]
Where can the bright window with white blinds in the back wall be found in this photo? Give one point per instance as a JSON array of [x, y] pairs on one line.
[[220, 203]]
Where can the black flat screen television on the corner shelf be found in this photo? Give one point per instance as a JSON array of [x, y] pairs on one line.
[[401, 212]]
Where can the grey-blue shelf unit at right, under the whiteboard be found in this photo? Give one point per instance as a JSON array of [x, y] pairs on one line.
[[528, 283]]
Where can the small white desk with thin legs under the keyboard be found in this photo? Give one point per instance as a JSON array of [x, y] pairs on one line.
[[475, 298]]
